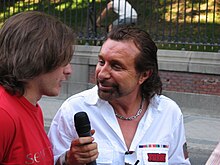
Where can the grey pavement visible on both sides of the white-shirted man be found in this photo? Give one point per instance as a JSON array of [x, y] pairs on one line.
[[202, 131]]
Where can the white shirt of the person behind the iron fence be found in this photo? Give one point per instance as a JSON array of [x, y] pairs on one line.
[[124, 9]]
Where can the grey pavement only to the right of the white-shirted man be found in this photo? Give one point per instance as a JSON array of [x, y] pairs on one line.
[[202, 134]]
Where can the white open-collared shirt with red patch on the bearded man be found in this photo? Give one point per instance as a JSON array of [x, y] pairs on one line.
[[160, 134]]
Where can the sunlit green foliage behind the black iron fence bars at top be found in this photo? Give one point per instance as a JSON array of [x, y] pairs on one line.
[[192, 25]]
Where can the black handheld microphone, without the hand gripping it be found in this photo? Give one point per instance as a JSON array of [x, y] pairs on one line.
[[83, 128]]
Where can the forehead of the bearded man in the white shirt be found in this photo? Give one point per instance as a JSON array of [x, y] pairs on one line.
[[125, 49]]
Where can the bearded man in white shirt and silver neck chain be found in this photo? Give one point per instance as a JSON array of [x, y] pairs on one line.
[[133, 122]]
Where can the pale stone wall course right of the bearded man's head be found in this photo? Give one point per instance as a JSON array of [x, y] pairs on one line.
[[189, 61]]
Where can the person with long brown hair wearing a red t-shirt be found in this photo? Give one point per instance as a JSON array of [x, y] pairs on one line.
[[35, 54]]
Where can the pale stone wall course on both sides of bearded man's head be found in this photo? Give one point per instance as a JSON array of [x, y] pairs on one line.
[[173, 60]]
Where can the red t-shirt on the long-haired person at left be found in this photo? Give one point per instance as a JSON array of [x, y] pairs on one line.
[[23, 139]]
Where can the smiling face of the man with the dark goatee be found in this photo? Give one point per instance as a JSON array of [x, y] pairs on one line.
[[115, 72]]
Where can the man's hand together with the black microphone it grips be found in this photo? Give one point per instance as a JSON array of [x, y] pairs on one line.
[[82, 150]]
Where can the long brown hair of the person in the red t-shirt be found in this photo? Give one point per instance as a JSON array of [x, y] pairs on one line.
[[32, 43]]
